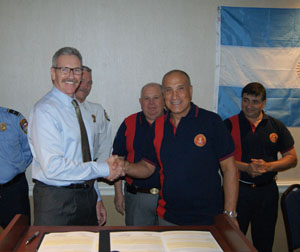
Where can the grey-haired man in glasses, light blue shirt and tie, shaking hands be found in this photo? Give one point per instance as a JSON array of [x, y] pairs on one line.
[[61, 140]]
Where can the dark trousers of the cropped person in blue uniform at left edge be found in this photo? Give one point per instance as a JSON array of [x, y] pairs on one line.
[[14, 200]]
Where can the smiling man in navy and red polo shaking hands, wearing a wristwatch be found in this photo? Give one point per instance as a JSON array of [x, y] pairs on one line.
[[190, 145]]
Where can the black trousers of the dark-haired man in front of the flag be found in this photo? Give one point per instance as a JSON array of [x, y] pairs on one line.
[[259, 206]]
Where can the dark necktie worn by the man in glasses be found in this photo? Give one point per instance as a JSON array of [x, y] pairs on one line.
[[85, 148]]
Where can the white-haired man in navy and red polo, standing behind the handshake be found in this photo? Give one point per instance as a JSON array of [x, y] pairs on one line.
[[141, 195]]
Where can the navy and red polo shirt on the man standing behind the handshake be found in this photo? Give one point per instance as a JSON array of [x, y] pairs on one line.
[[129, 142]]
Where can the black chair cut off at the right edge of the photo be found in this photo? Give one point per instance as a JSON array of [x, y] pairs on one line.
[[290, 206]]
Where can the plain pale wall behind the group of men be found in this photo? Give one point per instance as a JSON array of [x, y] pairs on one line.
[[127, 43]]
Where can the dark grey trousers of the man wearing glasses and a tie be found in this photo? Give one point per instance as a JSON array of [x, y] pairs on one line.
[[59, 206]]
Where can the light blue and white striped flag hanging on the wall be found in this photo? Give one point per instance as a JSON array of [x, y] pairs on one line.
[[259, 45]]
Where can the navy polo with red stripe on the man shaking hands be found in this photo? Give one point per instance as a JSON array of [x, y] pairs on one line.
[[189, 156]]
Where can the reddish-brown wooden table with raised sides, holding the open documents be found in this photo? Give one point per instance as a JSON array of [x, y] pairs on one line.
[[15, 235]]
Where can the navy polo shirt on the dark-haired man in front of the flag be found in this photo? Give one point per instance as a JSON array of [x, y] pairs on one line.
[[270, 137]]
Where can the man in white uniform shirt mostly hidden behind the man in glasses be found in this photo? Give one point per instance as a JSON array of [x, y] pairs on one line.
[[103, 138]]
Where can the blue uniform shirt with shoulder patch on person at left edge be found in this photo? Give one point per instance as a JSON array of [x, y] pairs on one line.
[[15, 155]]
